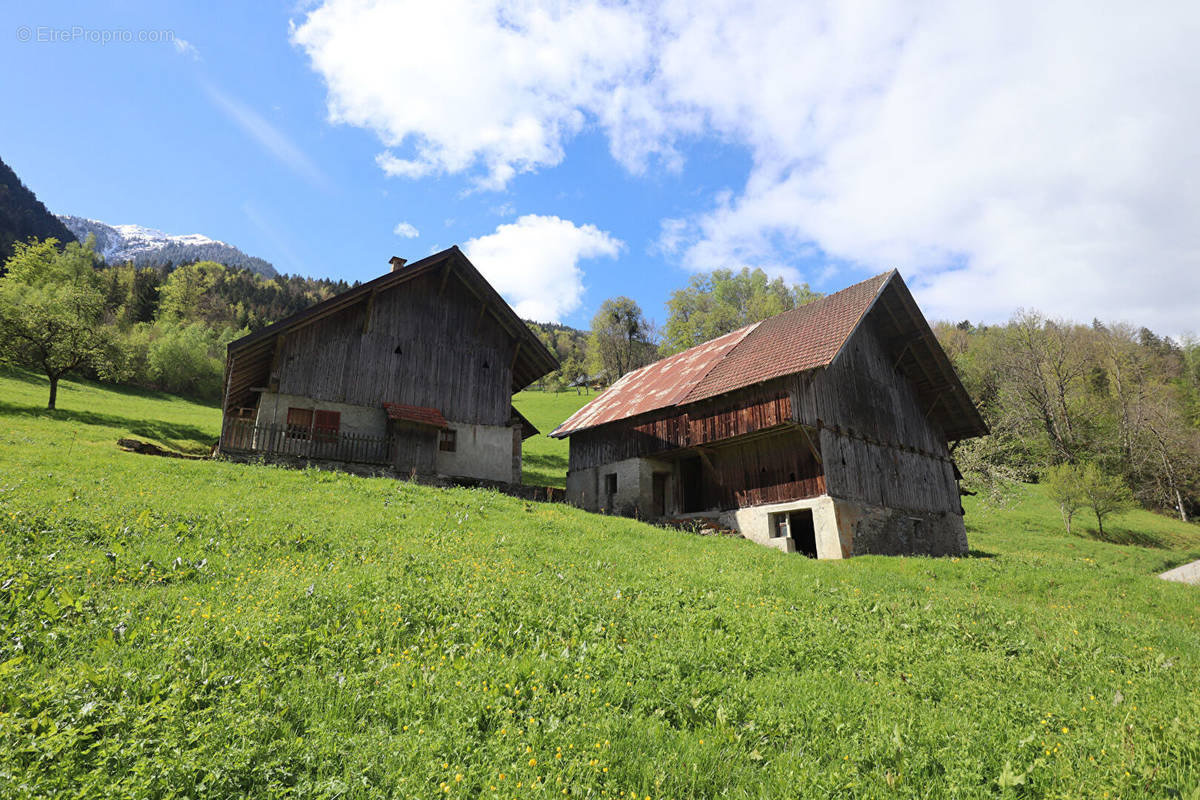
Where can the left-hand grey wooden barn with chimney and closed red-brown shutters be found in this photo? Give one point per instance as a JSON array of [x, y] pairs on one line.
[[413, 371]]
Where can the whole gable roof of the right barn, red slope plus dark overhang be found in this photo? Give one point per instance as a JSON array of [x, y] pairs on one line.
[[796, 341]]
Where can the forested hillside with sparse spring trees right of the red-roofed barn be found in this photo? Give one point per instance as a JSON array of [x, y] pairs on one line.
[[1057, 393]]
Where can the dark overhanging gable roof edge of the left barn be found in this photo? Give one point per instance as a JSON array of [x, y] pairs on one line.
[[249, 360]]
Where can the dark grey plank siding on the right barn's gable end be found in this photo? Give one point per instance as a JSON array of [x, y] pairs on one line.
[[878, 444]]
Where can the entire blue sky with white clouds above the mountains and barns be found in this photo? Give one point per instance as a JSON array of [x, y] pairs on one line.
[[1039, 158]]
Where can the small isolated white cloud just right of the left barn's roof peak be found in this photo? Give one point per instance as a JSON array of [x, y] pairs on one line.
[[535, 263]]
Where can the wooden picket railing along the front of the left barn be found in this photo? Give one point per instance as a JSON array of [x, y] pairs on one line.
[[245, 437]]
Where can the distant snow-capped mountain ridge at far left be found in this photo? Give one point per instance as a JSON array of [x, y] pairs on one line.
[[151, 248]]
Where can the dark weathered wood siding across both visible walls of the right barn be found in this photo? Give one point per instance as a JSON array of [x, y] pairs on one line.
[[877, 443]]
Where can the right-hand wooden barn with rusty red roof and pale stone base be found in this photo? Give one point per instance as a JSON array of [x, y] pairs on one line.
[[825, 430]]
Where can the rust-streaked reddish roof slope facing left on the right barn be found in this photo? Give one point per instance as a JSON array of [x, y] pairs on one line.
[[796, 341]]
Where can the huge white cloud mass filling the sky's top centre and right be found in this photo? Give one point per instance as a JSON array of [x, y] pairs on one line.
[[1040, 155]]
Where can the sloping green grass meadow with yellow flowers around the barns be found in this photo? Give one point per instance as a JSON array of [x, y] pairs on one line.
[[205, 629]]
